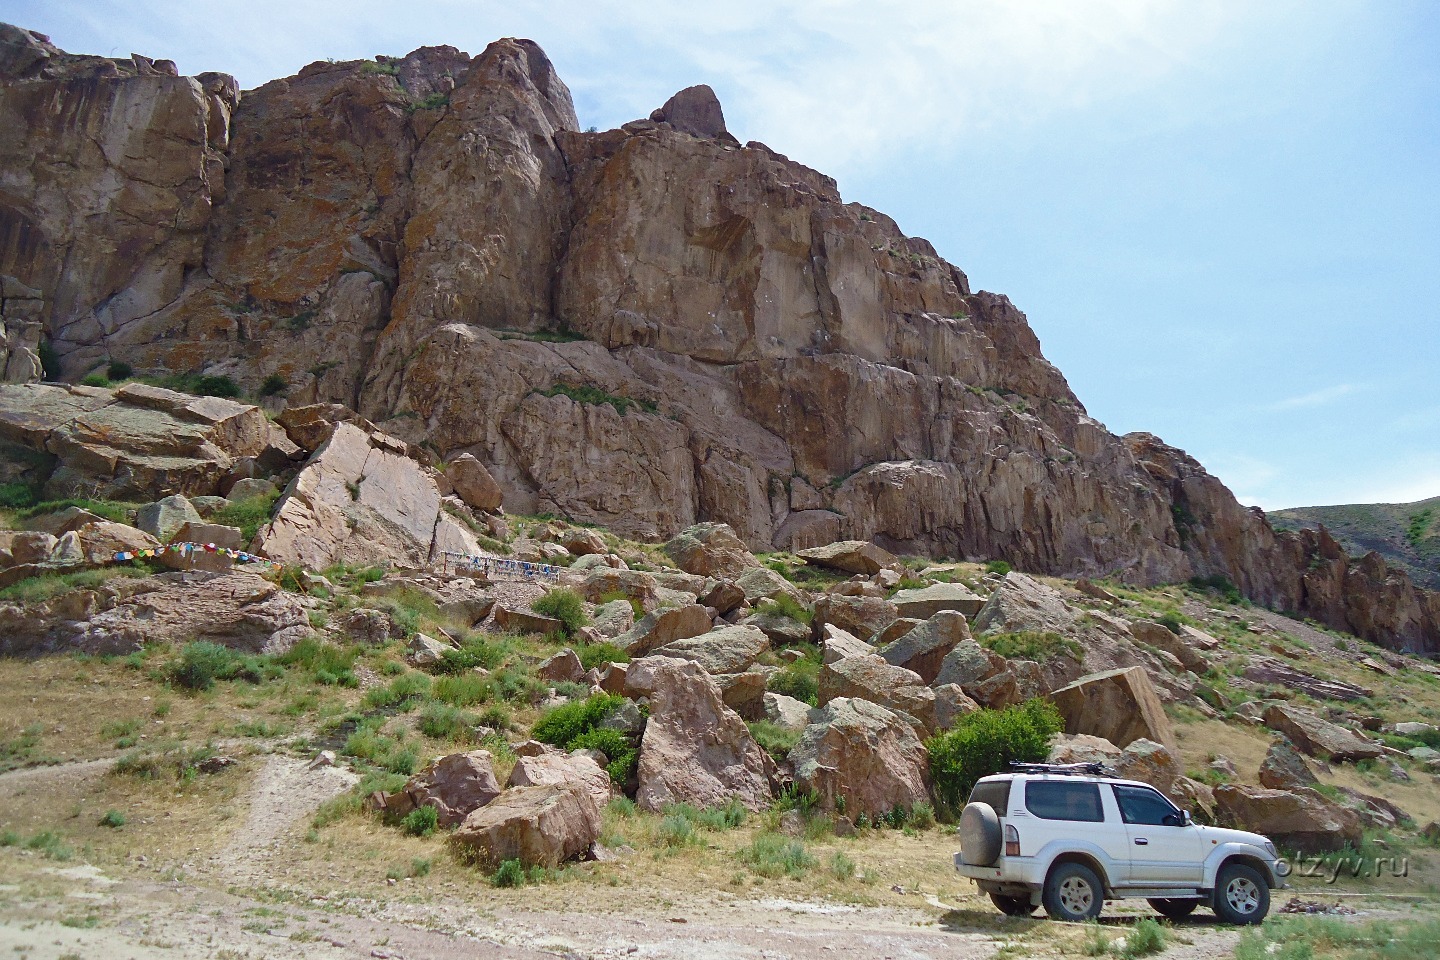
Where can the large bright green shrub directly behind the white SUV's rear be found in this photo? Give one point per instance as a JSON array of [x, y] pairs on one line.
[[987, 742]]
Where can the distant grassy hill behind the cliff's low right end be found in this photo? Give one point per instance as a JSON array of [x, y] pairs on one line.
[[1405, 535]]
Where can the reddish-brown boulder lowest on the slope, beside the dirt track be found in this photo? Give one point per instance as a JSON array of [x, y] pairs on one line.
[[544, 825]]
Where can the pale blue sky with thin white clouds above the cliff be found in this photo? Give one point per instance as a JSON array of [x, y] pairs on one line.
[[1220, 217]]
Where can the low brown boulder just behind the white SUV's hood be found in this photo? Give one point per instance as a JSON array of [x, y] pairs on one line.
[[1301, 820]]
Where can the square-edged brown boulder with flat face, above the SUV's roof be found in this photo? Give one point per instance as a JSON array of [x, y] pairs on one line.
[[1120, 706]]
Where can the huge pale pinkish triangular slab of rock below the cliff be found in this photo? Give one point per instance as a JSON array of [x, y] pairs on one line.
[[362, 499]]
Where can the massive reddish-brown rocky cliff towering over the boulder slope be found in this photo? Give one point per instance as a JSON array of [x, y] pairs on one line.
[[640, 327]]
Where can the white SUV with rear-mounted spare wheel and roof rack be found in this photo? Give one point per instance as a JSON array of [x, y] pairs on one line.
[[1071, 837]]
